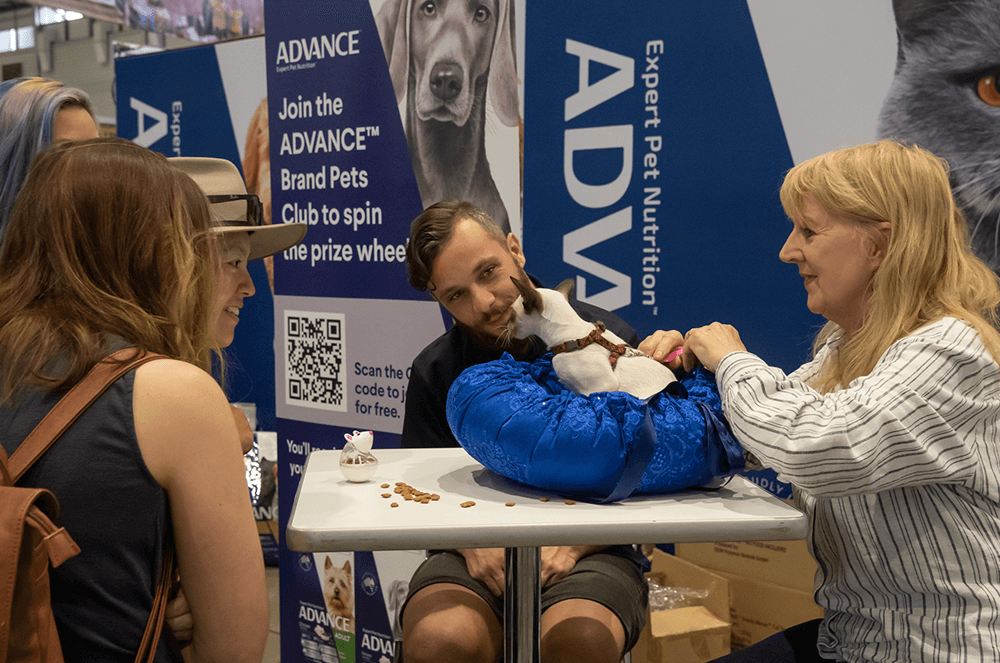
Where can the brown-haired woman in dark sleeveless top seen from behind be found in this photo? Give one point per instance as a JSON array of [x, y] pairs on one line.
[[109, 247]]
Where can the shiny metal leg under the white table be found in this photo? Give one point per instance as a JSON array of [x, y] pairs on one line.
[[522, 605]]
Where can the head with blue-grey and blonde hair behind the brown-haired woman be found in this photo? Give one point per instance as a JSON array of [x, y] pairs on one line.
[[34, 113]]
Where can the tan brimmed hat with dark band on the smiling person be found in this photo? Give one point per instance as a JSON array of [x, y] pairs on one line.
[[234, 210]]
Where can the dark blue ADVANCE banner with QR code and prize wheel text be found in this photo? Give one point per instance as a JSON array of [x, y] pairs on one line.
[[342, 122]]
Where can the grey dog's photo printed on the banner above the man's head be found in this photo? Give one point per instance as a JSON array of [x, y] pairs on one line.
[[446, 57]]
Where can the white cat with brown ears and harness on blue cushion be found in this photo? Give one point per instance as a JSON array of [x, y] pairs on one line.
[[588, 358]]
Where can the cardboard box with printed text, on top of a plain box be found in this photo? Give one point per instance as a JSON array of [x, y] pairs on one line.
[[784, 563]]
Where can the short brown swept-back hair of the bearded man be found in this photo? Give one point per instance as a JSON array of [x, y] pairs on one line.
[[430, 231]]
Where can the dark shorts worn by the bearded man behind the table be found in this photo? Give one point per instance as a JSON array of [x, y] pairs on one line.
[[614, 581]]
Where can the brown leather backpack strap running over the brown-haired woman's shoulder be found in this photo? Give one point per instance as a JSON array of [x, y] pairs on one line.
[[70, 407]]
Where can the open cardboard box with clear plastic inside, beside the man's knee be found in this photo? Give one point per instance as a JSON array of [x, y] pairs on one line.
[[693, 634]]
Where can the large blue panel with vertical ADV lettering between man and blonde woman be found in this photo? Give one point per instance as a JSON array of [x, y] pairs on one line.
[[653, 154]]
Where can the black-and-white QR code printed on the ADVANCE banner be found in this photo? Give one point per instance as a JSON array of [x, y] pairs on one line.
[[314, 359]]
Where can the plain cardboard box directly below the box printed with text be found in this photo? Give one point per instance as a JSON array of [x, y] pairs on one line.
[[759, 609]]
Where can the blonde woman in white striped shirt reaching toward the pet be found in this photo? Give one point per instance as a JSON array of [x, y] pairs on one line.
[[890, 436]]
